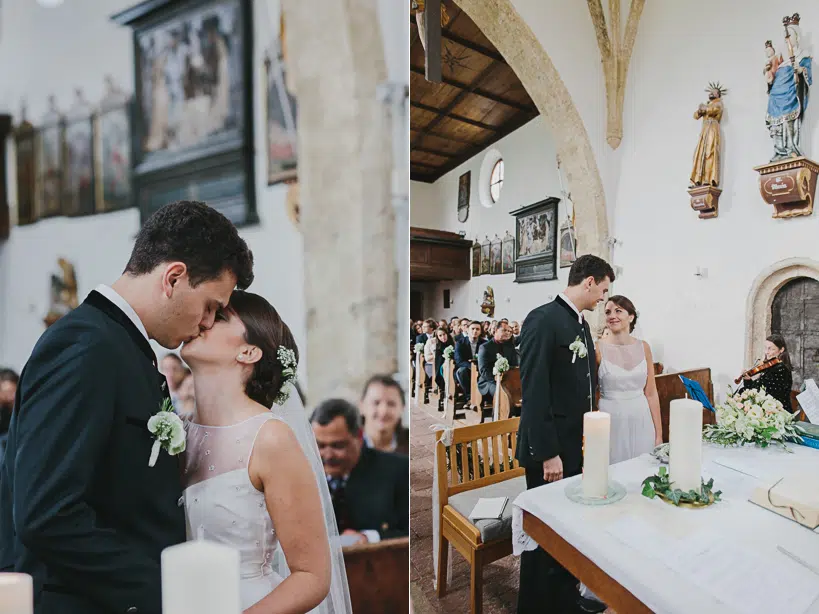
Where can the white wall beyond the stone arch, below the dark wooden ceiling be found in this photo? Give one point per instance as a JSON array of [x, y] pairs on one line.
[[530, 175]]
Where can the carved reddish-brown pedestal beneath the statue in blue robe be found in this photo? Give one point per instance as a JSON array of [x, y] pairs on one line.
[[789, 185]]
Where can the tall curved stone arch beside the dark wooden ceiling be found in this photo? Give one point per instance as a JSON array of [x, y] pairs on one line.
[[513, 38]]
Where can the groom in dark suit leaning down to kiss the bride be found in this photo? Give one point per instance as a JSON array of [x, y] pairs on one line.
[[80, 509]]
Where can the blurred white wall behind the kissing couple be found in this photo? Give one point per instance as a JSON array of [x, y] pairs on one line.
[[83, 46]]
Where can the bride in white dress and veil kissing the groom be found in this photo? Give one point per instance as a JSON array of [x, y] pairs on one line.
[[253, 477]]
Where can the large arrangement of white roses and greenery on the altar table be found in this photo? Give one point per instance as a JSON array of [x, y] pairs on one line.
[[752, 417]]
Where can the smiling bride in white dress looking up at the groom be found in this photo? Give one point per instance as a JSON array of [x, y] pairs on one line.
[[628, 391]]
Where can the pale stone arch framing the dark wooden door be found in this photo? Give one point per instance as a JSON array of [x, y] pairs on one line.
[[761, 296]]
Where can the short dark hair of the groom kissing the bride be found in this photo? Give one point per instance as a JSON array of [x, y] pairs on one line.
[[190, 231]]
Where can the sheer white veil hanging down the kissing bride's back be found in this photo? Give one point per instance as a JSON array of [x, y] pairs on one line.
[[337, 601]]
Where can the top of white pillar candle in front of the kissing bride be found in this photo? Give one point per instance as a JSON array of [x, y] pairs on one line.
[[200, 577]]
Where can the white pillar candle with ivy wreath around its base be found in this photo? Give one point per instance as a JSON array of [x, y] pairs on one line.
[[685, 439]]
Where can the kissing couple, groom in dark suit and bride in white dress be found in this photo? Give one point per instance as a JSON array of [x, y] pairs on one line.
[[100, 476]]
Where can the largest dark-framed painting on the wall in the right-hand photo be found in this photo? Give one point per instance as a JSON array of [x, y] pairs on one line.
[[536, 239]]
